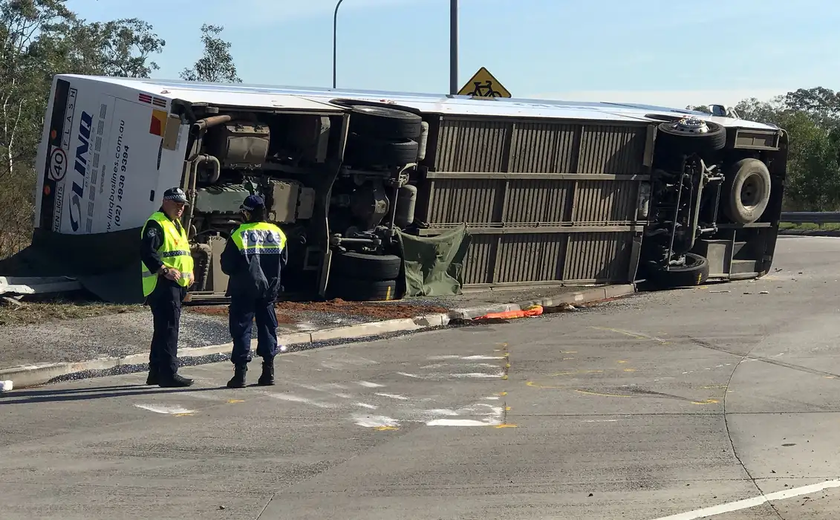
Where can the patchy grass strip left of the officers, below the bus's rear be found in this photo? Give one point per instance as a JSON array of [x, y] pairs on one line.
[[44, 311]]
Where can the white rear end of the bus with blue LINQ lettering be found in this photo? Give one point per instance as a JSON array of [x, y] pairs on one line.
[[114, 158]]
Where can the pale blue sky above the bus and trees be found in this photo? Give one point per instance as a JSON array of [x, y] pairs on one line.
[[671, 52]]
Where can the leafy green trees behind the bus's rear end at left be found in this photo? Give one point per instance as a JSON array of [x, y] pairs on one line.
[[41, 38]]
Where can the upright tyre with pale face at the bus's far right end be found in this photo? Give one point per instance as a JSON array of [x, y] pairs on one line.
[[747, 191]]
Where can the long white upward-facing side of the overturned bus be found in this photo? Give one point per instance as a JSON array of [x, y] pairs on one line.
[[231, 94]]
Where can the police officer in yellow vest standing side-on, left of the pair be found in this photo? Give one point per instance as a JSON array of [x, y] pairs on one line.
[[167, 267]]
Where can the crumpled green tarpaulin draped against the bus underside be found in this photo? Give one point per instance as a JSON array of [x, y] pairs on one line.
[[434, 266]]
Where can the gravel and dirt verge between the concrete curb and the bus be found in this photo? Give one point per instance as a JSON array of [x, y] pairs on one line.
[[72, 331]]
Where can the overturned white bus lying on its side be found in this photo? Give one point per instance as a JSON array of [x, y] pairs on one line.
[[386, 194]]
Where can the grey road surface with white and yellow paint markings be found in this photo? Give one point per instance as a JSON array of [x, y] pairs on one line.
[[715, 401]]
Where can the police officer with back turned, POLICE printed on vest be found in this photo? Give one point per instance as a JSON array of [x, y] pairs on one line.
[[253, 257]]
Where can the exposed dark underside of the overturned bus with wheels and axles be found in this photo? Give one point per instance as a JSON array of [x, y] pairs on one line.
[[544, 201]]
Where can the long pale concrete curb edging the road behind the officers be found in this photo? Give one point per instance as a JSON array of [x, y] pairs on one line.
[[32, 375]]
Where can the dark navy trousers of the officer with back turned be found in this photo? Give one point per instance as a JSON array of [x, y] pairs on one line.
[[242, 313]]
